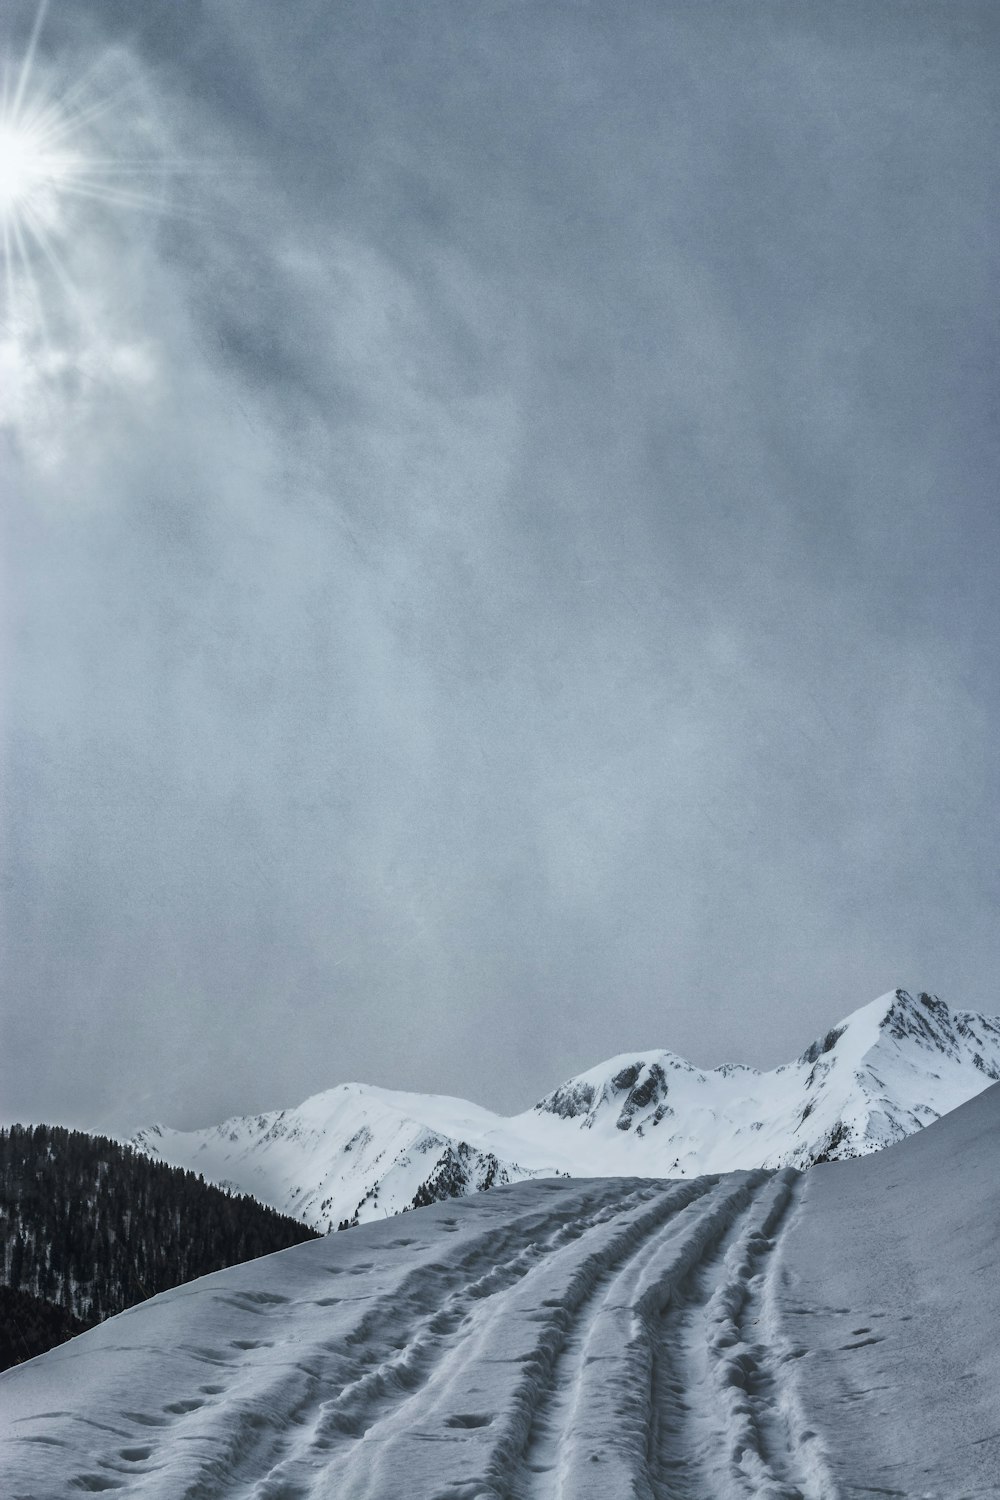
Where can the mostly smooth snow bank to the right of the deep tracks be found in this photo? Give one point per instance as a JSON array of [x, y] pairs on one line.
[[890, 1279]]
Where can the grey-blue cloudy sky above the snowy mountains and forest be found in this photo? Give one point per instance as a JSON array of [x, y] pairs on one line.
[[500, 541]]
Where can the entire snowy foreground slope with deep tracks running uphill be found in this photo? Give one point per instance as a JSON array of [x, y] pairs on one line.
[[759, 1336]]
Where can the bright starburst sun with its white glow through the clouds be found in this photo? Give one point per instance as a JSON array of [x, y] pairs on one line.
[[86, 155]]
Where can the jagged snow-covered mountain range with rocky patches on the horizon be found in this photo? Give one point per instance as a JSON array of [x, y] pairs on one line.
[[359, 1153]]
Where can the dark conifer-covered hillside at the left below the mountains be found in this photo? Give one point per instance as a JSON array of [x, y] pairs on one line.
[[91, 1228]]
